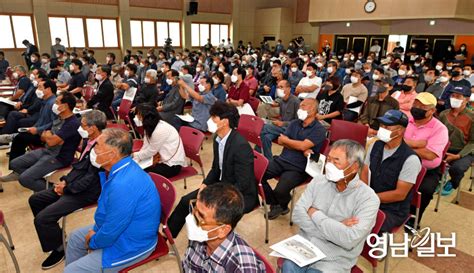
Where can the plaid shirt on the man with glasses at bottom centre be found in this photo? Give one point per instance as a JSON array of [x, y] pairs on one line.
[[232, 255]]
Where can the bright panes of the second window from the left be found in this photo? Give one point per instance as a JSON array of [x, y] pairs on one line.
[[71, 30]]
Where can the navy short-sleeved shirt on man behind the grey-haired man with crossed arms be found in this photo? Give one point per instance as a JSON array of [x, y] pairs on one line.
[[314, 132]]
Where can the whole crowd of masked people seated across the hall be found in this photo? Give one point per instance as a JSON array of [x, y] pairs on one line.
[[418, 113]]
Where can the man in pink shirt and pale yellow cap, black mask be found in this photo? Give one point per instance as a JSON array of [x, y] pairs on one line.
[[428, 137]]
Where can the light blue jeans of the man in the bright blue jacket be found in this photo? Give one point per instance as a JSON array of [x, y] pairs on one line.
[[78, 260]]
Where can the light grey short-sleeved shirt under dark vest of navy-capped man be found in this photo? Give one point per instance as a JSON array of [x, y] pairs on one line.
[[410, 169]]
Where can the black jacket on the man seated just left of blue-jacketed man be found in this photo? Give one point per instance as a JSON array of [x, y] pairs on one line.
[[83, 179]]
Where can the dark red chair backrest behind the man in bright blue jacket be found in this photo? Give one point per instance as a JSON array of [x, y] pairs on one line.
[[167, 195]]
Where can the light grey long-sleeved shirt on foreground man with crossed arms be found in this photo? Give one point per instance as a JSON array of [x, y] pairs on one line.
[[341, 244]]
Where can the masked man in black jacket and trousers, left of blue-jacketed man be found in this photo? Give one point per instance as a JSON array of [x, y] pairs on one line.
[[79, 188]]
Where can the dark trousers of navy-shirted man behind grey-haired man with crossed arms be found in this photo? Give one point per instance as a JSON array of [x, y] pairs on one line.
[[290, 177]]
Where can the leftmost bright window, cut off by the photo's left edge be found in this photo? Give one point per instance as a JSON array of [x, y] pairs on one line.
[[14, 29]]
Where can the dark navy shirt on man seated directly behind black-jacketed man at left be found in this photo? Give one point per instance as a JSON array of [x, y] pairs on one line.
[[68, 133]]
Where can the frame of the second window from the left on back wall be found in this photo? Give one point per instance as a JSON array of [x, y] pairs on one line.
[[84, 26]]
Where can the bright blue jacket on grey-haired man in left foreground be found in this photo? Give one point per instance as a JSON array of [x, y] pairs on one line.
[[127, 216]]
